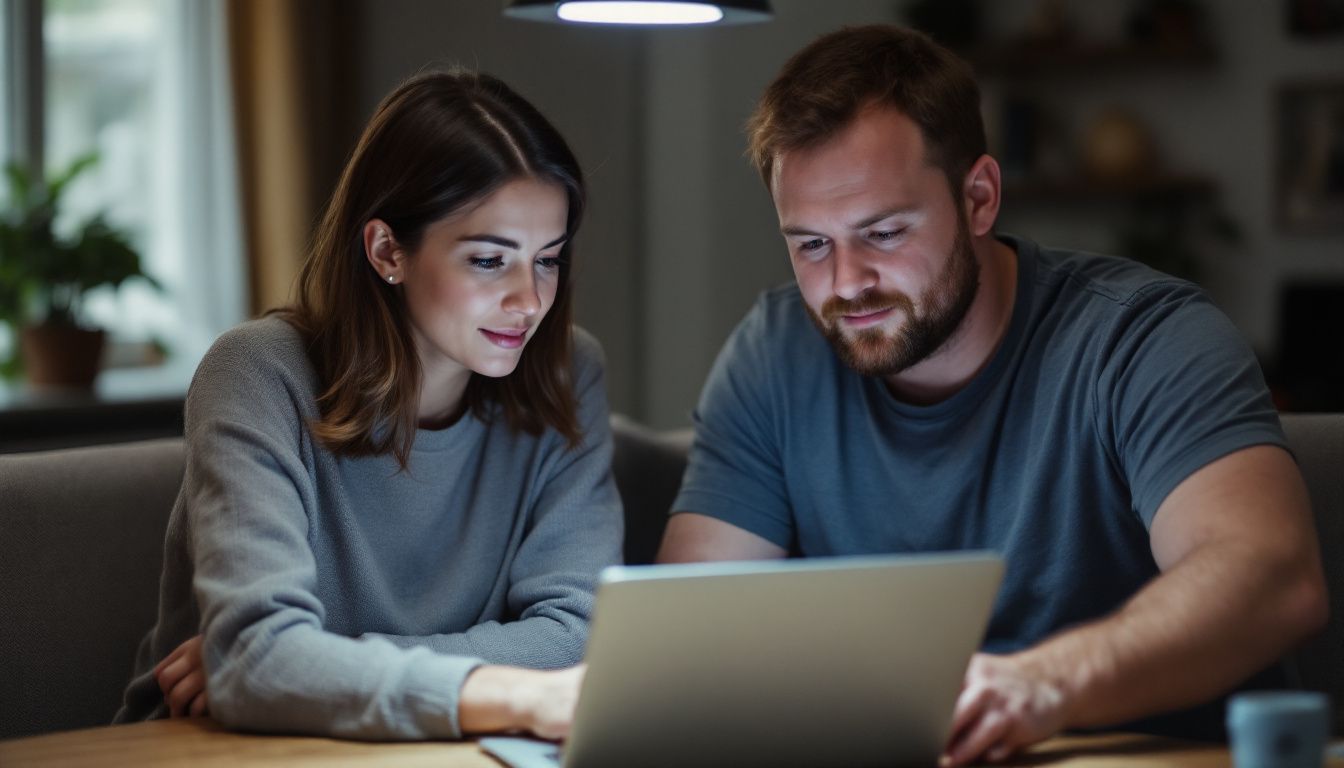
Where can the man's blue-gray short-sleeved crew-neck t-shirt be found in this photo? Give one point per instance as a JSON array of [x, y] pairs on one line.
[[1112, 385]]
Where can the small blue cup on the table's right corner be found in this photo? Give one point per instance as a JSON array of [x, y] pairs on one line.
[[1279, 730]]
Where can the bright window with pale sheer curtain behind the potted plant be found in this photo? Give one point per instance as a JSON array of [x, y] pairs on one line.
[[144, 84]]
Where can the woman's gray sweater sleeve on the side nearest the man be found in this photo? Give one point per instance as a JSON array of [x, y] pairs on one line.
[[576, 531]]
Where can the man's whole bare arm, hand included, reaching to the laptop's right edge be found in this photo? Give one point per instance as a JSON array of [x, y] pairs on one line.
[[1241, 584]]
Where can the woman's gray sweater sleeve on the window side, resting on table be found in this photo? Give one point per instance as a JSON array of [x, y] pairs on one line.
[[271, 665]]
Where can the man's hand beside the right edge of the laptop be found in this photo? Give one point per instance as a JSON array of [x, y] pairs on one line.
[[1005, 705]]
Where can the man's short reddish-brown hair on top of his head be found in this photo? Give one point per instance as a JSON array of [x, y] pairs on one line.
[[825, 87]]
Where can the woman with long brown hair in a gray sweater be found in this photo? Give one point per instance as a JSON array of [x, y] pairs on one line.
[[397, 494]]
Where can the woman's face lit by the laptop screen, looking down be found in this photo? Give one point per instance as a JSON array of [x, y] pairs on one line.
[[482, 280]]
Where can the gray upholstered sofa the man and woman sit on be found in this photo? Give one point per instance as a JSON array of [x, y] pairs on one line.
[[81, 547]]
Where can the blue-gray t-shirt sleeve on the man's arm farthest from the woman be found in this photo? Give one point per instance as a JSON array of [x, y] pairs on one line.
[[1181, 389]]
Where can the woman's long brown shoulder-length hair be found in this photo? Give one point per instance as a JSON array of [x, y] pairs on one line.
[[436, 146]]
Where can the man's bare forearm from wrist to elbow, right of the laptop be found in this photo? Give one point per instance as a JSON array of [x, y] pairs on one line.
[[1198, 630]]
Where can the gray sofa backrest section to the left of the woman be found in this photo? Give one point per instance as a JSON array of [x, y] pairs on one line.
[[81, 547]]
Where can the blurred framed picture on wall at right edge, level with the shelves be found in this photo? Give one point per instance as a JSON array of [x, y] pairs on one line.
[[1311, 158]]
